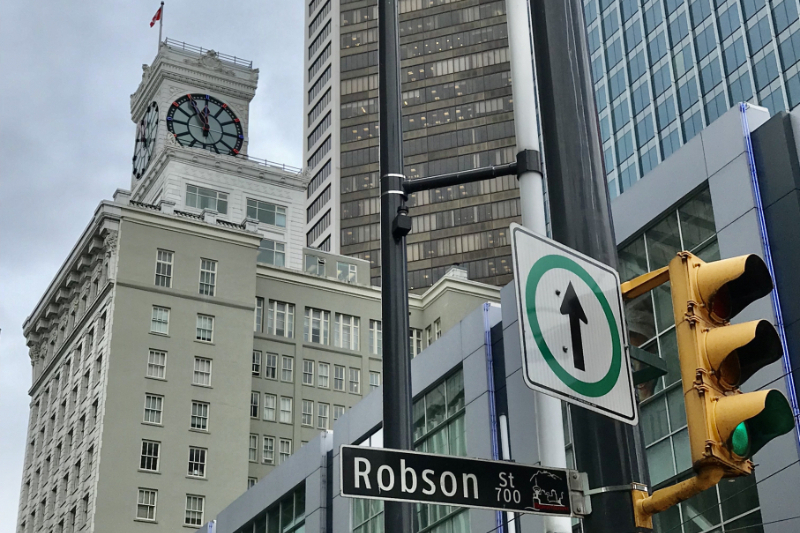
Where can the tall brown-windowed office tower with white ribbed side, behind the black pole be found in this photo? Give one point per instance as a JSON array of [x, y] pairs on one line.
[[457, 115]]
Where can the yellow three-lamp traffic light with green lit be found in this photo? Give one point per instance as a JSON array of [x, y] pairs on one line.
[[726, 426]]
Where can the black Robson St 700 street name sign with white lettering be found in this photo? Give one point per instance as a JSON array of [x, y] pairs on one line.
[[382, 474]]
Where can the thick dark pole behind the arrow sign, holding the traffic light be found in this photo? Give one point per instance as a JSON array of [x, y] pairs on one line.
[[580, 216]]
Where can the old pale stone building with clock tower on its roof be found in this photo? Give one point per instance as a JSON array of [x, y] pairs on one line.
[[190, 343]]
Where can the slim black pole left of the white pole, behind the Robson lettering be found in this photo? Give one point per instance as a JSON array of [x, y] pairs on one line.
[[395, 224]]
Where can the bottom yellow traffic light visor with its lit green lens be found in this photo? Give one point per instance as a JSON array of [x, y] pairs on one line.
[[749, 421]]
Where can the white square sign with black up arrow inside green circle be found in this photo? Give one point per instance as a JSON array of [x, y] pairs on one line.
[[572, 326]]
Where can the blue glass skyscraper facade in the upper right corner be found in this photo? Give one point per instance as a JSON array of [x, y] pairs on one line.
[[665, 69]]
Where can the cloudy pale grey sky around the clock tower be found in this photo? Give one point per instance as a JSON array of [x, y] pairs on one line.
[[67, 70]]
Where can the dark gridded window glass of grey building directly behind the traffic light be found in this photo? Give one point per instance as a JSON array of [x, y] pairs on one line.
[[733, 504]]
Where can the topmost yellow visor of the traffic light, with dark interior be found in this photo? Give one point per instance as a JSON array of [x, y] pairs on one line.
[[730, 285]]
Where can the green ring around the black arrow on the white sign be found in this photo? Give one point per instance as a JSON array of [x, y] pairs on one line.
[[586, 388]]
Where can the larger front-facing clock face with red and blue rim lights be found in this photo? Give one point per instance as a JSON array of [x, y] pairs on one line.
[[202, 121]]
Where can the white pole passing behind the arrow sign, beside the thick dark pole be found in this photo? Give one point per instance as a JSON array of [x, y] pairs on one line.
[[549, 423]]
